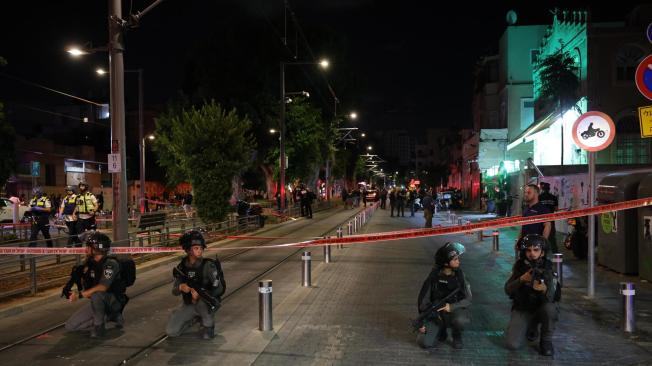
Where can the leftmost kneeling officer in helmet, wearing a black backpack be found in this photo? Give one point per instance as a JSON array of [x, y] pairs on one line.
[[102, 284]]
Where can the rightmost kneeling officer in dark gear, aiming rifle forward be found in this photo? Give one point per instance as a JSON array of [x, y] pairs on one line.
[[534, 289]]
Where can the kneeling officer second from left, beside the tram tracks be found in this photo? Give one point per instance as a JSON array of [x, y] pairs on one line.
[[191, 273]]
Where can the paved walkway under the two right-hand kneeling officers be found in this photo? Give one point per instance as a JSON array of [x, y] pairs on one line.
[[360, 306]]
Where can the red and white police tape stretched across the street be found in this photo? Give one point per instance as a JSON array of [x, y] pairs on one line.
[[366, 238]]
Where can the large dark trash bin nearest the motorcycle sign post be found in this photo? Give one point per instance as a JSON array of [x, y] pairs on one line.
[[618, 230]]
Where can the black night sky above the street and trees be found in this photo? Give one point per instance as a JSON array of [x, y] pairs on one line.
[[411, 61]]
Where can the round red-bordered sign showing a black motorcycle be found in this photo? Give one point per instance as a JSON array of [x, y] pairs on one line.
[[593, 131]]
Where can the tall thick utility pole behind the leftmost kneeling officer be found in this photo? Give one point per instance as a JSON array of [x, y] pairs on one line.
[[117, 115]]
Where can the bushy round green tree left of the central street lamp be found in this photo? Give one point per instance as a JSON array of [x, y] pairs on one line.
[[207, 147]]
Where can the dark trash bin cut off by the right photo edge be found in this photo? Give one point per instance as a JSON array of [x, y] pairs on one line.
[[645, 230]]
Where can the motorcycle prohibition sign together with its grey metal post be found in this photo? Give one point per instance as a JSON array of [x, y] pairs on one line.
[[593, 131]]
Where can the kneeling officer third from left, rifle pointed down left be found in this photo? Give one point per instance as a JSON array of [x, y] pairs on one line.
[[445, 278]]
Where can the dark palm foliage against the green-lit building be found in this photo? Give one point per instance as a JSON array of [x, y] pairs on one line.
[[559, 80]]
